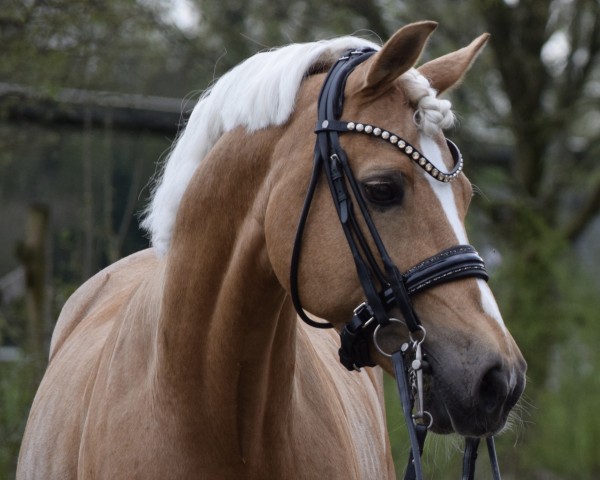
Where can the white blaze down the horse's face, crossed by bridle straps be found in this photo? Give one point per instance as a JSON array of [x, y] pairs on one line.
[[445, 195]]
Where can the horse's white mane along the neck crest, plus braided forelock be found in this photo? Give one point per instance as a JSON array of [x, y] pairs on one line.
[[258, 93]]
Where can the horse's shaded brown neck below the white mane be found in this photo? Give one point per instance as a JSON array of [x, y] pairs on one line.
[[227, 329]]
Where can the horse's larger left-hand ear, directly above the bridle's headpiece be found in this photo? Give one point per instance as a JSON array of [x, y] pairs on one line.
[[398, 54]]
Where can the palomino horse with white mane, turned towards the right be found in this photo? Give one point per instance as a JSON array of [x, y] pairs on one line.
[[188, 360]]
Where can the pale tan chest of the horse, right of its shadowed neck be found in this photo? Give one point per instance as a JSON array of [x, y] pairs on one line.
[[351, 401]]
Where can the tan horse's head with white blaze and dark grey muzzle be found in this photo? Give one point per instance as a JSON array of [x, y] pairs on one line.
[[417, 198]]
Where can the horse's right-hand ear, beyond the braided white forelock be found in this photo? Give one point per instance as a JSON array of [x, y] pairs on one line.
[[445, 72]]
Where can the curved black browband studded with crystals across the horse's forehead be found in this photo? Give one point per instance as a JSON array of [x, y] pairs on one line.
[[409, 150]]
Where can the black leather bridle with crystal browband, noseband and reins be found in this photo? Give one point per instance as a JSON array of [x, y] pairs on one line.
[[384, 288]]
